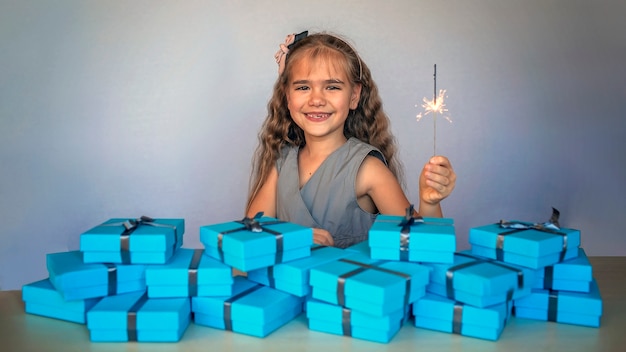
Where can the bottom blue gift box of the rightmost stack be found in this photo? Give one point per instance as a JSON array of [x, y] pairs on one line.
[[575, 308]]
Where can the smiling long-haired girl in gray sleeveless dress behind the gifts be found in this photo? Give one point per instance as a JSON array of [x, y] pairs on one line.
[[326, 157]]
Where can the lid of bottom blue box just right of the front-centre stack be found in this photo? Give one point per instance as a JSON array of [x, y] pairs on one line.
[[433, 306]]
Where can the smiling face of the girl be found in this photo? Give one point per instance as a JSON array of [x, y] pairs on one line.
[[320, 97]]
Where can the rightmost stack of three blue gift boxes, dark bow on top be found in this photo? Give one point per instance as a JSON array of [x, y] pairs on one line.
[[563, 289]]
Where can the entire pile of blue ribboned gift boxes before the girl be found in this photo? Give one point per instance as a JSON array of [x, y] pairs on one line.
[[132, 280]]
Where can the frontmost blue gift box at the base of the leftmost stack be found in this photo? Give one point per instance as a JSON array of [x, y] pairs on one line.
[[135, 317]]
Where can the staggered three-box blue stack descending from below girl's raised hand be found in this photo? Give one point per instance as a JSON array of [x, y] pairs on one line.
[[465, 294]]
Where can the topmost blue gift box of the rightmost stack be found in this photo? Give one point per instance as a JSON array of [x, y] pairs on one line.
[[530, 248]]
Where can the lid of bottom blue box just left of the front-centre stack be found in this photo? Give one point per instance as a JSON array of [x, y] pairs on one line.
[[249, 302]]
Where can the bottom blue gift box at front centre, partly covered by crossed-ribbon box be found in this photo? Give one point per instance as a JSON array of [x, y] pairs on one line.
[[334, 319]]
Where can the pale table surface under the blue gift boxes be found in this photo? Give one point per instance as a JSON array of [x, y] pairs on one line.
[[26, 332]]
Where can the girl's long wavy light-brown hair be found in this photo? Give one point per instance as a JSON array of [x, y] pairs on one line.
[[368, 122]]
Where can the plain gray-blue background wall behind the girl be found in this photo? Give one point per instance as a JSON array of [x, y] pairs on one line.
[[124, 108]]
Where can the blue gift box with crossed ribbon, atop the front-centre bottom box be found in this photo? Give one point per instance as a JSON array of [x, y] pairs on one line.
[[367, 285]]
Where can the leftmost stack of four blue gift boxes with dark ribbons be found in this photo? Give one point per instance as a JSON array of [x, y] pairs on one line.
[[104, 284]]
